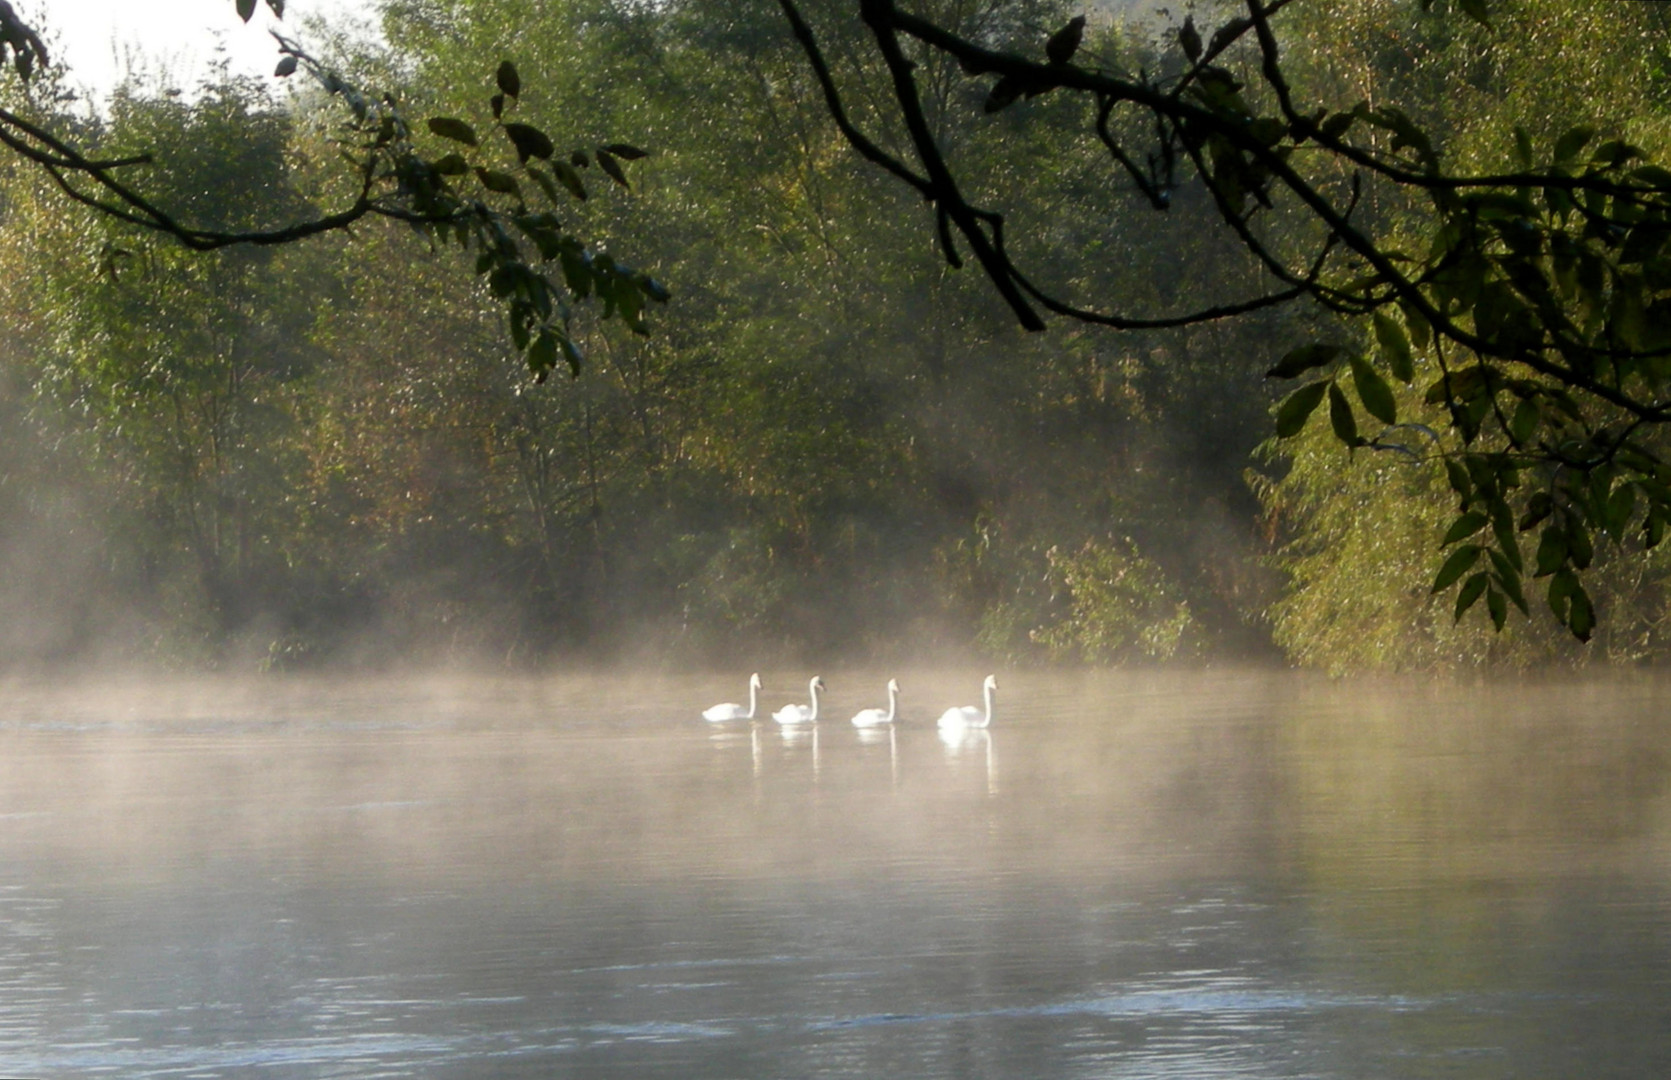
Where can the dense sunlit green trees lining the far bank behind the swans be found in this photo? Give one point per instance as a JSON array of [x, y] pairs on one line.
[[830, 442]]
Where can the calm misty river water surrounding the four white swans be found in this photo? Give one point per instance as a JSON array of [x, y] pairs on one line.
[[1226, 875]]
